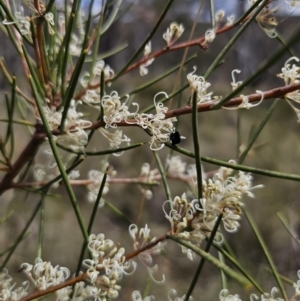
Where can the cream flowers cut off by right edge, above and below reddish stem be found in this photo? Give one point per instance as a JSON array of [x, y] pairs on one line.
[[290, 75]]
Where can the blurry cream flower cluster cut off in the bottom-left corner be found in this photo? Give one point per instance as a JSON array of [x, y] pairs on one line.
[[8, 292]]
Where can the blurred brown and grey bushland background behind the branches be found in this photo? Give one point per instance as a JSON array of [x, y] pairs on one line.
[[277, 148]]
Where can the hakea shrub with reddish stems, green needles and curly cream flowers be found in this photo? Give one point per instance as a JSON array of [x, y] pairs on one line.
[[61, 89]]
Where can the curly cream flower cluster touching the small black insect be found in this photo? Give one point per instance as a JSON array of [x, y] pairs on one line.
[[159, 127]]
